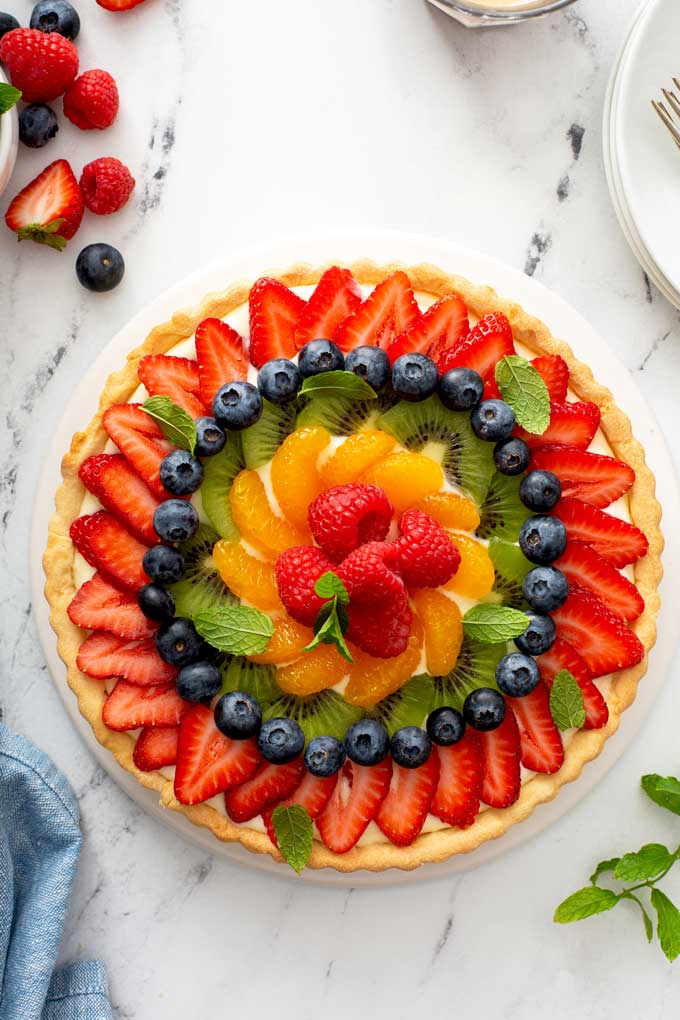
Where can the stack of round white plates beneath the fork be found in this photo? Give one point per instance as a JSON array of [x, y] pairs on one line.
[[642, 161]]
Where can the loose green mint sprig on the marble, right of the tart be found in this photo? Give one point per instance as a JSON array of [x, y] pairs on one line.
[[644, 869]]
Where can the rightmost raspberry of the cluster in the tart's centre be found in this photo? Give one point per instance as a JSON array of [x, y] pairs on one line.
[[425, 555]]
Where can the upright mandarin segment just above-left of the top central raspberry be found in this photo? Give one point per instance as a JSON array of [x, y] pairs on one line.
[[295, 478]]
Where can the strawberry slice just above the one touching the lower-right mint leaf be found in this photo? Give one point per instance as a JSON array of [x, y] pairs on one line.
[[601, 637]]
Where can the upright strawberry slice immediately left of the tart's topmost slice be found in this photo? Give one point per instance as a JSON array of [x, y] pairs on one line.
[[275, 312]]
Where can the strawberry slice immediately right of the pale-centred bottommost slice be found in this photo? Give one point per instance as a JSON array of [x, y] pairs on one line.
[[405, 809]]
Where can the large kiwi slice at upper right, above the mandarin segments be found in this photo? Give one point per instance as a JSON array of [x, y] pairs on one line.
[[467, 463]]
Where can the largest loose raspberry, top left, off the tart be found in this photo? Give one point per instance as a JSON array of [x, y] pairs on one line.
[[41, 65]]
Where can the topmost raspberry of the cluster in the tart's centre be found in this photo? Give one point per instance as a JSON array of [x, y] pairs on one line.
[[347, 517]]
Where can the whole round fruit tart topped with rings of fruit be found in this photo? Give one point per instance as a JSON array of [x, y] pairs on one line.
[[361, 548]]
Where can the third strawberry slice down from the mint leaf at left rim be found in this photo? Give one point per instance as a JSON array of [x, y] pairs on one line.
[[111, 549]]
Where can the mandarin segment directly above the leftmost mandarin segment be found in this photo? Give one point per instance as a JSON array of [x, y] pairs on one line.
[[256, 521]]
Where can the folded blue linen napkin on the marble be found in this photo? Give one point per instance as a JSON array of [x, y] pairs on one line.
[[40, 846]]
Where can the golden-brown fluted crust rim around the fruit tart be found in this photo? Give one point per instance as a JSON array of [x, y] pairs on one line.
[[491, 824]]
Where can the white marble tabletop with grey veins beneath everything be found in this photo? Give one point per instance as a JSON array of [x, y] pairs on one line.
[[267, 120]]
